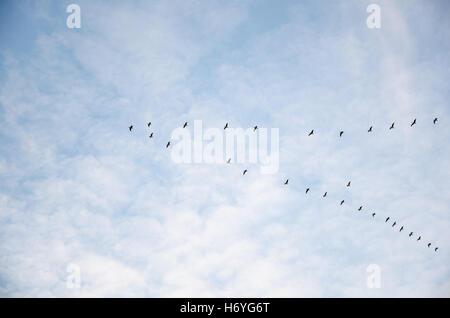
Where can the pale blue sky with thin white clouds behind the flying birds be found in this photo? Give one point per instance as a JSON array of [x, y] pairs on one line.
[[78, 189]]
